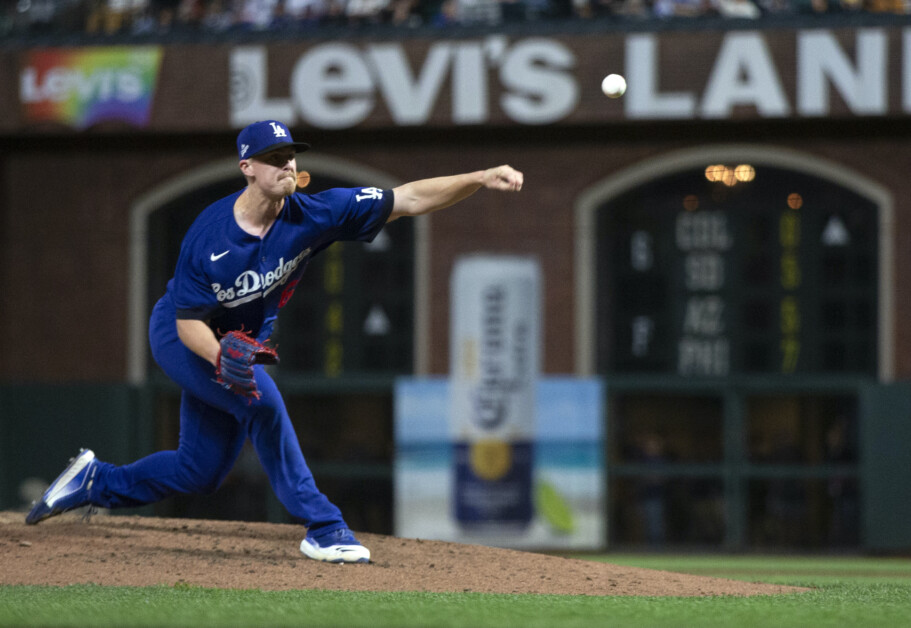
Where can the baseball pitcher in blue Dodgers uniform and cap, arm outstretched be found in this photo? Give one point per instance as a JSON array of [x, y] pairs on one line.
[[239, 263]]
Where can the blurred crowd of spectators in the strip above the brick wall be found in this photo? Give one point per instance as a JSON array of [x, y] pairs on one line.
[[100, 18]]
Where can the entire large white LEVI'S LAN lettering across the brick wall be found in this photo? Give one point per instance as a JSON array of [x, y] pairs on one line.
[[537, 80]]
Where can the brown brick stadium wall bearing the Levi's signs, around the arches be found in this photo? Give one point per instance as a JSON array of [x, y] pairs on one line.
[[90, 130]]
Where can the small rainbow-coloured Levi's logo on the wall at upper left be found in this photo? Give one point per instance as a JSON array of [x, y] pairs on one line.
[[82, 87]]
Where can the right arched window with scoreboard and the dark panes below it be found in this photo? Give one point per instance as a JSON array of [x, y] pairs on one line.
[[737, 301]]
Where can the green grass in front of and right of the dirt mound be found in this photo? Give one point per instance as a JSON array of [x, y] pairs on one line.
[[847, 592]]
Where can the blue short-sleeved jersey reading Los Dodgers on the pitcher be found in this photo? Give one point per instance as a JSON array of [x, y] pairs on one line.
[[235, 280]]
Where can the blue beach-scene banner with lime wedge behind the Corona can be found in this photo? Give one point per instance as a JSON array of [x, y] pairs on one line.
[[567, 460]]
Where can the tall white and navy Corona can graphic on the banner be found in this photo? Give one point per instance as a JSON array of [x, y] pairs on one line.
[[494, 366]]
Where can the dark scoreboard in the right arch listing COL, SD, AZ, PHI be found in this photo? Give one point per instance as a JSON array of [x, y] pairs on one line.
[[733, 269]]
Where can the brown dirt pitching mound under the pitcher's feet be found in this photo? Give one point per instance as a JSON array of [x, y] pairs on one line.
[[144, 551]]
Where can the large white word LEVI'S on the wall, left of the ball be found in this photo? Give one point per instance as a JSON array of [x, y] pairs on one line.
[[339, 85]]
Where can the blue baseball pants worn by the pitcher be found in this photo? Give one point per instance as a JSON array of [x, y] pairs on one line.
[[214, 424]]
